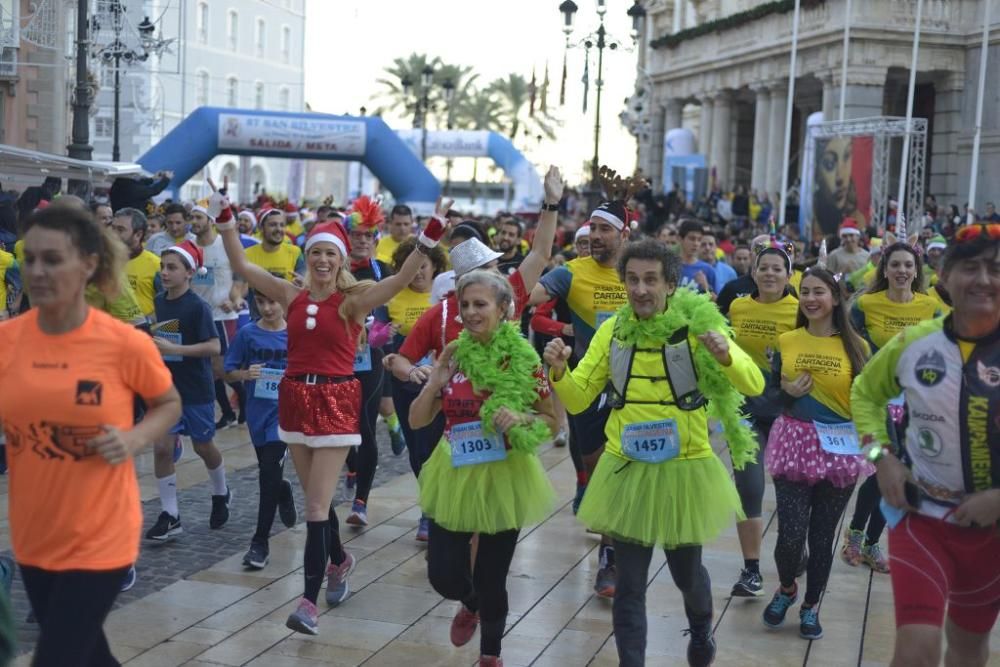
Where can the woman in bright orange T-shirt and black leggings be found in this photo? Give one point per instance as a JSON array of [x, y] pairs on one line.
[[71, 375]]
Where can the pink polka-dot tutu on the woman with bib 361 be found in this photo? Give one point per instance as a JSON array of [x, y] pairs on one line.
[[793, 453]]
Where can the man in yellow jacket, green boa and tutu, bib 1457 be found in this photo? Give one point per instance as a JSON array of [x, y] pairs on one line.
[[671, 364]]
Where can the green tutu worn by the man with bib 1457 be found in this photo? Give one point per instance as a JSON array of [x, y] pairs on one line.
[[671, 504]]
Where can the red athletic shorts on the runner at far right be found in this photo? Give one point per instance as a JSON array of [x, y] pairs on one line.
[[938, 565]]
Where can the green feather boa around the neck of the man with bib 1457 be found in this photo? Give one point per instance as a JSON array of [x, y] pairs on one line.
[[698, 313]]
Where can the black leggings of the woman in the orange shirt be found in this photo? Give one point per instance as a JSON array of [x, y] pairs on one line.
[[71, 607]]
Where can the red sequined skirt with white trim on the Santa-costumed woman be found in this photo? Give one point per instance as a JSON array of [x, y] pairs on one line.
[[319, 415]]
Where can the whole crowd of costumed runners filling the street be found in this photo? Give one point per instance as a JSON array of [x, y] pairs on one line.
[[680, 364]]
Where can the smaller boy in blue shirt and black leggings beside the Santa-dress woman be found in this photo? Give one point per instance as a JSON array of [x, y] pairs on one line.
[[258, 356]]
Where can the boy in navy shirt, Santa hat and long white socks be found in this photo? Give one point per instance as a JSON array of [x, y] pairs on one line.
[[187, 338]]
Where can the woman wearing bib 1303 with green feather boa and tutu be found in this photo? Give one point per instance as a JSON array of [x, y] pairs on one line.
[[484, 477]]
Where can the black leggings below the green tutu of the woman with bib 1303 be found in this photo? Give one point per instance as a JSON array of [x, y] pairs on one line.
[[483, 588]]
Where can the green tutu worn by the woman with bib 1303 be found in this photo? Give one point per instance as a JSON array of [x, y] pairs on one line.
[[488, 497]]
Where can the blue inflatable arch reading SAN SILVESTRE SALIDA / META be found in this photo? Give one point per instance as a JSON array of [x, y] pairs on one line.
[[211, 131]]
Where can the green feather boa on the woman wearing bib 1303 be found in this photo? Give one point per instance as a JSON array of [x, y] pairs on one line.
[[505, 367]]
